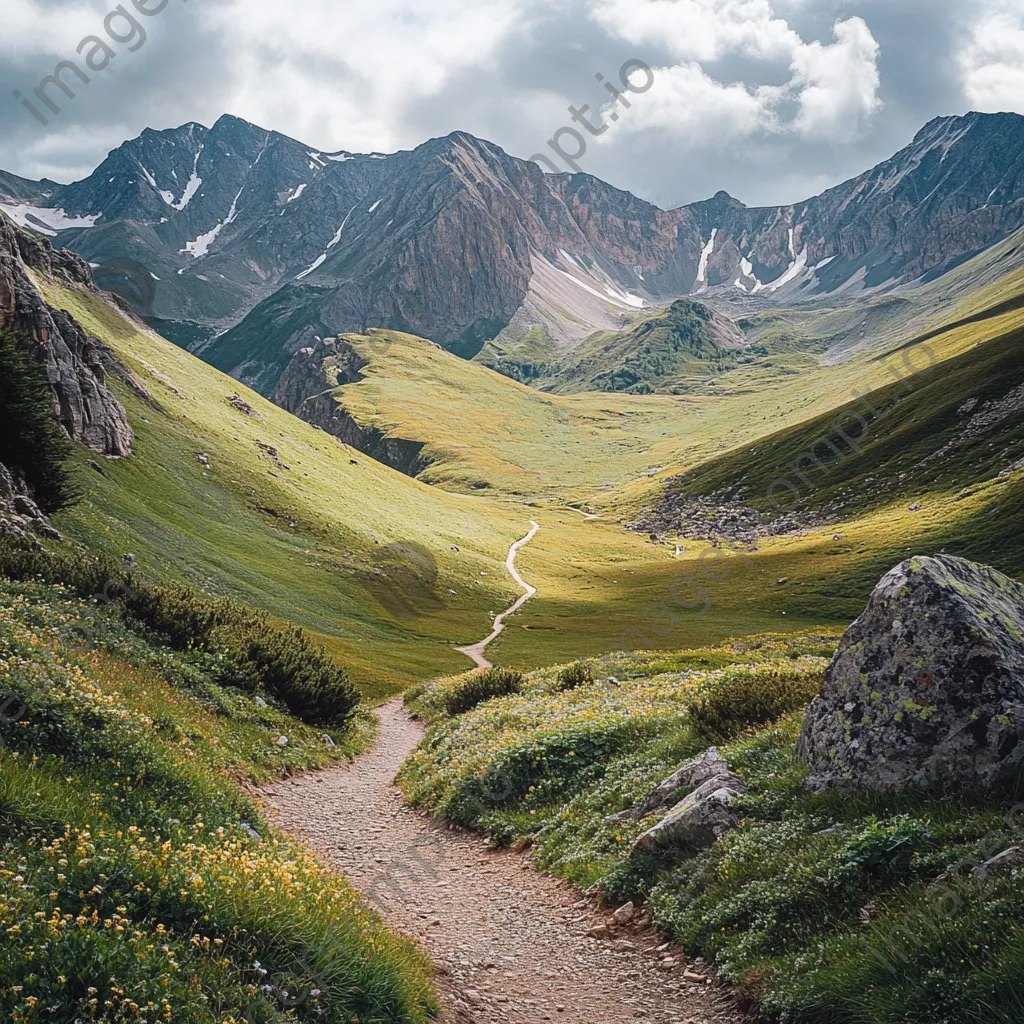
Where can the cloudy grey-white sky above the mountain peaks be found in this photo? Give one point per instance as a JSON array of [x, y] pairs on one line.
[[772, 100]]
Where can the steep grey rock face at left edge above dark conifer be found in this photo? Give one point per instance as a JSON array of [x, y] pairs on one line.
[[76, 364]]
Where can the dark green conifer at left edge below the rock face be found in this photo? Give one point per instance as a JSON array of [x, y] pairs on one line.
[[31, 442]]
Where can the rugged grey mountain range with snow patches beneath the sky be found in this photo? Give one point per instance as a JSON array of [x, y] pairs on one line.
[[246, 246]]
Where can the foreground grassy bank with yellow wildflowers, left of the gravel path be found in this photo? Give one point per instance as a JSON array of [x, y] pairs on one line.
[[138, 882]]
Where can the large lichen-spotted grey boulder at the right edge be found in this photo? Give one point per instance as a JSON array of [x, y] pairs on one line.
[[927, 687]]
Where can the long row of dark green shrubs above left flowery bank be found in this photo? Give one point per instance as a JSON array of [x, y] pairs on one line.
[[252, 652]]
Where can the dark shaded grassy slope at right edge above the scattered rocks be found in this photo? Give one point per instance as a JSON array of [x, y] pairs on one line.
[[951, 430]]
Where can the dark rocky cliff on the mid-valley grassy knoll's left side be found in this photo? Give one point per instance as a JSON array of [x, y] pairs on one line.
[[309, 389]]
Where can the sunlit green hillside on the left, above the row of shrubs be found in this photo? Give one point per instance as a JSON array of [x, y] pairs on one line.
[[335, 542]]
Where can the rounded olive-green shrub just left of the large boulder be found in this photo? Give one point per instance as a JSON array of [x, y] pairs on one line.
[[737, 700]]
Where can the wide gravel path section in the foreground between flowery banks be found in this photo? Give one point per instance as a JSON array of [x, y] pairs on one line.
[[510, 945]]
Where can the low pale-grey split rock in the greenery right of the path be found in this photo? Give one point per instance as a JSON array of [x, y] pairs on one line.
[[702, 817]]
